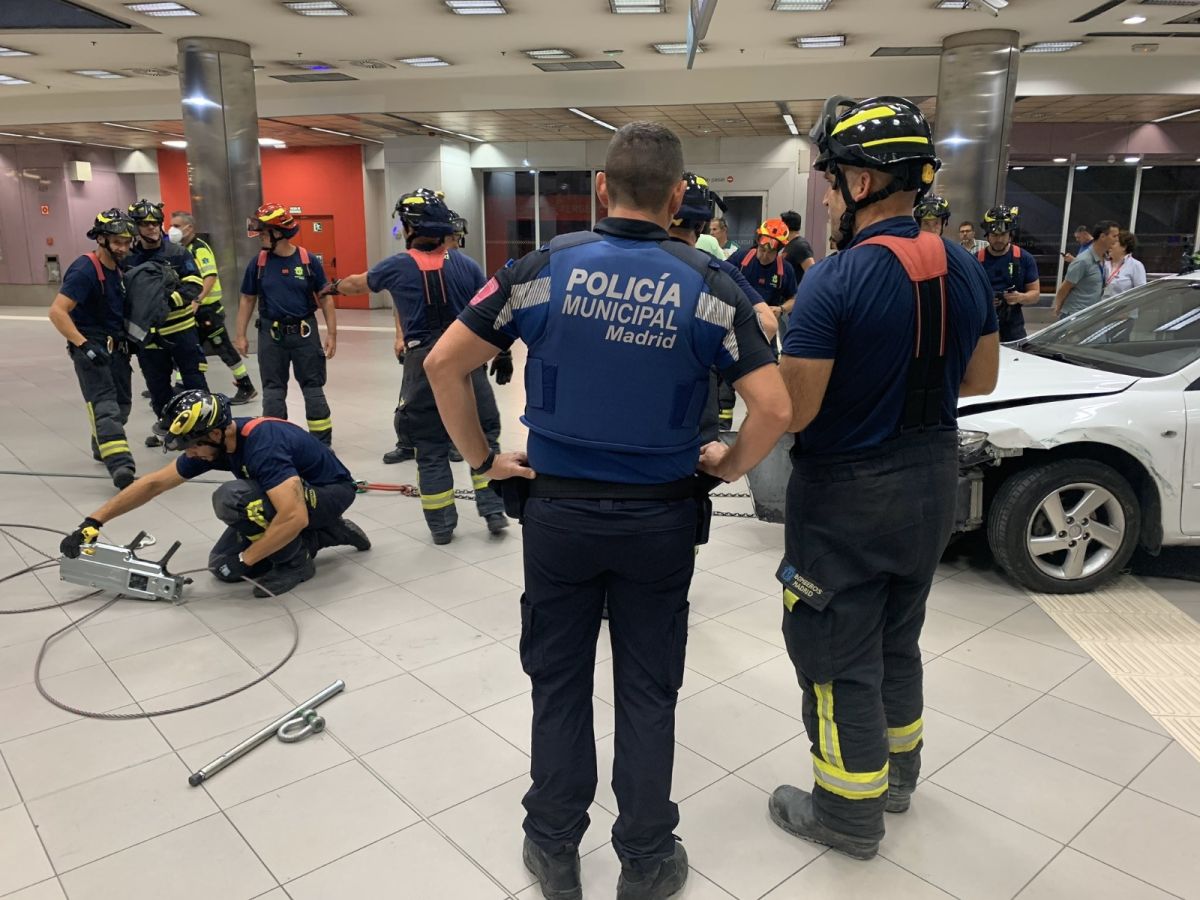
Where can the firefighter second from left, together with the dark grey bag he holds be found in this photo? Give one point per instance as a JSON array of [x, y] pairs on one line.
[[167, 340]]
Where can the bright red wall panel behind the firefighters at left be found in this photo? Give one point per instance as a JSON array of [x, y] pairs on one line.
[[321, 181]]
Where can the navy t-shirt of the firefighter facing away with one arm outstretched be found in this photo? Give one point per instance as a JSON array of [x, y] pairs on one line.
[[401, 277]]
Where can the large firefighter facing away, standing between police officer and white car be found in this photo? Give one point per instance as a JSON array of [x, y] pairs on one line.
[[886, 338]]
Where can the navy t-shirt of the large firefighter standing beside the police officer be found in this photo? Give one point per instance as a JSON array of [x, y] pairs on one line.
[[857, 309]]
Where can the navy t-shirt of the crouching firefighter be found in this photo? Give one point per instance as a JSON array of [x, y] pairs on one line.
[[273, 453]]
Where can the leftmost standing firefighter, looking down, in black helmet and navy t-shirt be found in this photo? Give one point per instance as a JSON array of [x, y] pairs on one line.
[[89, 313]]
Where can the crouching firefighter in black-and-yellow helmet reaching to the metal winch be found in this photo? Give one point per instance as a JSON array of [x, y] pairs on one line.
[[284, 506]]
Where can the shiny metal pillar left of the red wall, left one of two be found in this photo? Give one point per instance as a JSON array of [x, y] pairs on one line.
[[217, 80]]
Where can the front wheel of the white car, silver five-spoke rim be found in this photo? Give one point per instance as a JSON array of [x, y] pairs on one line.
[[1079, 553]]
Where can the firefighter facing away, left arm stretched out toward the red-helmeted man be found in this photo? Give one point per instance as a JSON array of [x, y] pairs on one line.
[[431, 284]]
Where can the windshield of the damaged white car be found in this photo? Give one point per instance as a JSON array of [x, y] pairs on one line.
[[1150, 332]]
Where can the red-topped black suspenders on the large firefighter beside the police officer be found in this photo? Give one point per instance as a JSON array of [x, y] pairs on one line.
[[926, 263]]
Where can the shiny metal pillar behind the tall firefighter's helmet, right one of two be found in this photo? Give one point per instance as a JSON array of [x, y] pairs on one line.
[[976, 91]]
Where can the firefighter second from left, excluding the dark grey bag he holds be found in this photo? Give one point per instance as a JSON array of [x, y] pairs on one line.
[[176, 344]]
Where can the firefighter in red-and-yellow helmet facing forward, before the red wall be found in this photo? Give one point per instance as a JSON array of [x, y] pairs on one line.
[[290, 285]]
